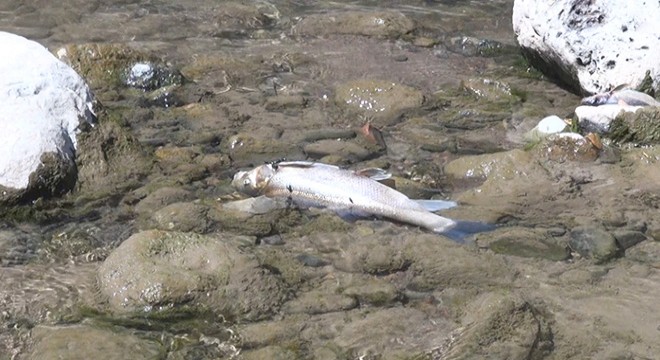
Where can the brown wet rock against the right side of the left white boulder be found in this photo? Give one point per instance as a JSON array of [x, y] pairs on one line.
[[111, 158]]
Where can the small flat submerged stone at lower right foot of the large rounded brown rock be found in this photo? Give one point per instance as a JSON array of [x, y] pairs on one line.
[[319, 302]]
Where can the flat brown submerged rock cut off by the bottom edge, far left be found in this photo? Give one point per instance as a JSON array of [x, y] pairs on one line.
[[86, 342]]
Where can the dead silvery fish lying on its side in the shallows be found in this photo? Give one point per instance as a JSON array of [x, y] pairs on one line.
[[350, 194]]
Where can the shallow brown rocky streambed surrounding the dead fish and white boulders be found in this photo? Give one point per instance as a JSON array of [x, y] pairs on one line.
[[151, 254]]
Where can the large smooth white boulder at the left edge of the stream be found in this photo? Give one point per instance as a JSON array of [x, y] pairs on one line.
[[42, 103]]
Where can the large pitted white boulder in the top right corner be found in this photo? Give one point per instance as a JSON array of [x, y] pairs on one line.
[[592, 45]]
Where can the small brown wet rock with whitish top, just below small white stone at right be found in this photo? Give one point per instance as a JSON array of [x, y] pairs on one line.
[[567, 147]]
